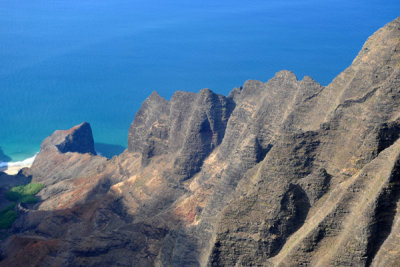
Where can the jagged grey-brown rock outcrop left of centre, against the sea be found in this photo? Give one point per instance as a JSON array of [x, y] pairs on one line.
[[187, 128]]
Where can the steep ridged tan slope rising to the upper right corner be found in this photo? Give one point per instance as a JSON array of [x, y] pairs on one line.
[[289, 179]]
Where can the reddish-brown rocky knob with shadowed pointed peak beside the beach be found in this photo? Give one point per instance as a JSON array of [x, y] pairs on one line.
[[65, 157]]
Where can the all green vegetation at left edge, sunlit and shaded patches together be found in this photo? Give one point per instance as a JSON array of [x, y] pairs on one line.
[[18, 194]]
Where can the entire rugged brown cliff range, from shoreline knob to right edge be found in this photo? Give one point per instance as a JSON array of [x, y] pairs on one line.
[[283, 173]]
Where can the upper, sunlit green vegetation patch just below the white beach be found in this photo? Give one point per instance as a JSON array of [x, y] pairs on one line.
[[24, 193]]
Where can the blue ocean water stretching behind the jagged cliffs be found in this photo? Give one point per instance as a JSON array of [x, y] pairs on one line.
[[67, 61]]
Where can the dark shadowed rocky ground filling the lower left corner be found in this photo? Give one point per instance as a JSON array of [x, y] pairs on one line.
[[132, 235]]
